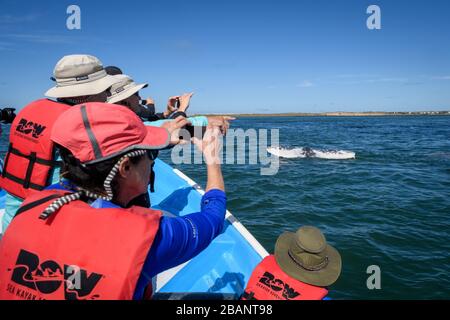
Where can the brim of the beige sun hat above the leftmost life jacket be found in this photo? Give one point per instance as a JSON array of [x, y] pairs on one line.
[[83, 89]]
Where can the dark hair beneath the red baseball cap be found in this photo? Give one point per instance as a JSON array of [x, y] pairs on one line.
[[89, 177]]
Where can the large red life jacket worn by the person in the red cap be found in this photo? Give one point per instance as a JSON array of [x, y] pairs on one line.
[[78, 253]]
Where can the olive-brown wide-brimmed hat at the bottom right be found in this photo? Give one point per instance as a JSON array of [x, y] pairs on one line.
[[306, 256]]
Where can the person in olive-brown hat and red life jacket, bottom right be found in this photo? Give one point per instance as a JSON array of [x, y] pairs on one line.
[[303, 266]]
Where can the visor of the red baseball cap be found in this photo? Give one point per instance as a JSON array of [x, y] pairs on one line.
[[156, 139]]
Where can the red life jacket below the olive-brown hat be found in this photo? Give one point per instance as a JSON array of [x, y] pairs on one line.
[[269, 282]]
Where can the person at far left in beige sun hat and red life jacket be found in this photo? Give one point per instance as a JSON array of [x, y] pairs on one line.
[[31, 161]]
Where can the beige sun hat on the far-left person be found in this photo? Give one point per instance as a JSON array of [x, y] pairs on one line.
[[79, 75]]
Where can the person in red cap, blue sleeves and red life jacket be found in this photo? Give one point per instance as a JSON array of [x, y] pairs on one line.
[[86, 240]]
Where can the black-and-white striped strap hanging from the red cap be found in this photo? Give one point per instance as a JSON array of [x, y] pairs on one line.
[[56, 205]]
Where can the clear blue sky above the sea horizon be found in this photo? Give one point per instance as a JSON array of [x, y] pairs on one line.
[[241, 56]]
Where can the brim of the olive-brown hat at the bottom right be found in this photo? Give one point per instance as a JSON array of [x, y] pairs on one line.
[[321, 278]]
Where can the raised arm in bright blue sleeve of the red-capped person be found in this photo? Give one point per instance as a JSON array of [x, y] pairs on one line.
[[180, 239]]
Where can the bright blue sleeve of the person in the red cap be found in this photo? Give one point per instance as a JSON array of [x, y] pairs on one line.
[[180, 239]]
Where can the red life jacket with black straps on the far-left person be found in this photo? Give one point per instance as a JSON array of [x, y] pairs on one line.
[[30, 159]]
